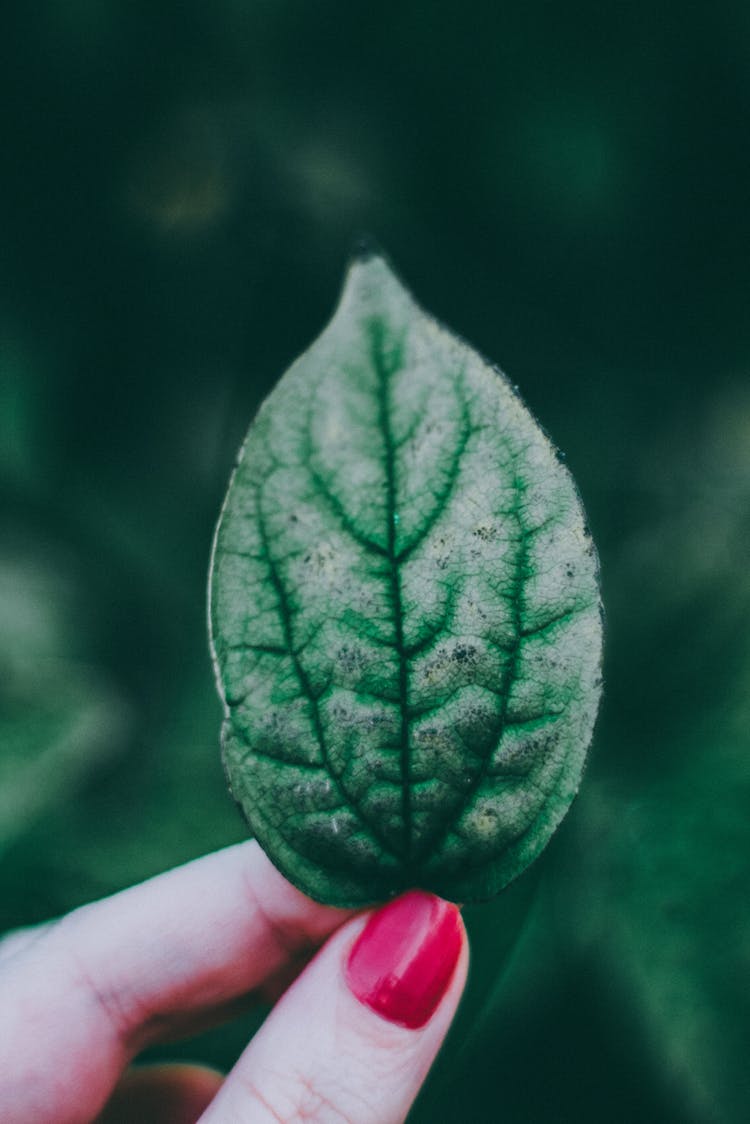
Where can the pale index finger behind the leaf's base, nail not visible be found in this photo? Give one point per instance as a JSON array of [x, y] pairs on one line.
[[93, 990]]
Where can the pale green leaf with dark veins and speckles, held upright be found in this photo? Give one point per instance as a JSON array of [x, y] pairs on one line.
[[405, 615]]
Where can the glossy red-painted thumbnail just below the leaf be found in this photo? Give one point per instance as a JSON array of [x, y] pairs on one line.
[[403, 962]]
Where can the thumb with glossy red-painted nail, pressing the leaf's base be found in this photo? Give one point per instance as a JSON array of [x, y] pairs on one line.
[[355, 1037]]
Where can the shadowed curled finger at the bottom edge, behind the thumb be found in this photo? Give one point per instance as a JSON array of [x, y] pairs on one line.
[[162, 1095]]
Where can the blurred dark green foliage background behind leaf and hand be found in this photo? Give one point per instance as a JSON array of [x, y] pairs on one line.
[[566, 186]]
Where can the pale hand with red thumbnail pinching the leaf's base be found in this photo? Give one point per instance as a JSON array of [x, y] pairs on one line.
[[353, 1039]]
